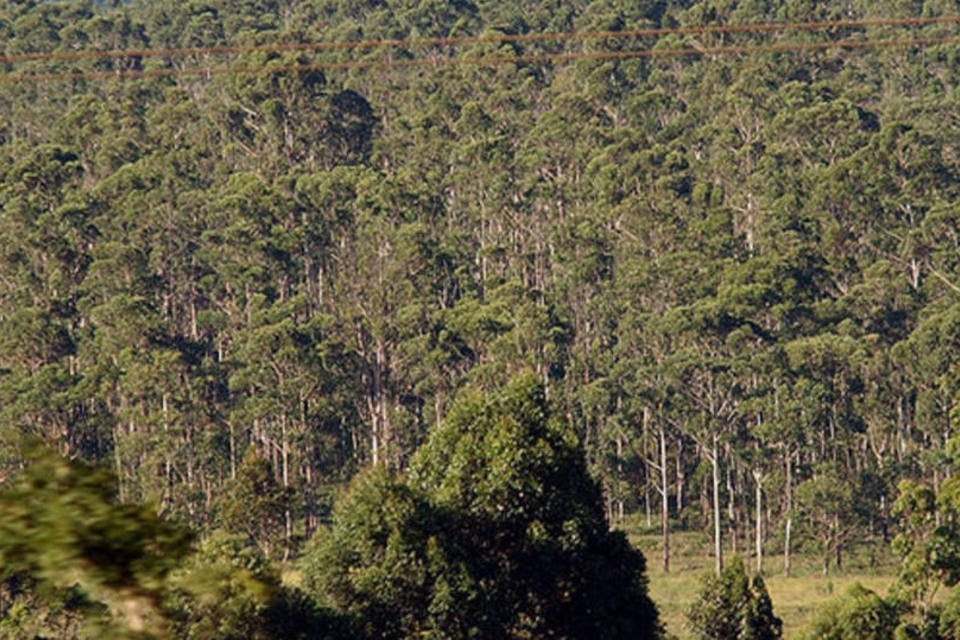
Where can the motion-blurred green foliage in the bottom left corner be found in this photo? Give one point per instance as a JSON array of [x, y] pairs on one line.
[[64, 536]]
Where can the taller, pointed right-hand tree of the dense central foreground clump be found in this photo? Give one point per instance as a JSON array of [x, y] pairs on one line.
[[513, 468]]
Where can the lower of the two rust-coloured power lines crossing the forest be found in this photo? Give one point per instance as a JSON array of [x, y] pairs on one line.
[[482, 60]]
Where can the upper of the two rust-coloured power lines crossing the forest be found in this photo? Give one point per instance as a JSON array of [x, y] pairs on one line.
[[761, 27]]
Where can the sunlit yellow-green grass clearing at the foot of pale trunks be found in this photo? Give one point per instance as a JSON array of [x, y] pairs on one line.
[[795, 599]]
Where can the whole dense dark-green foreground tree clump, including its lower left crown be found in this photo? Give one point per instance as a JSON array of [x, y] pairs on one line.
[[498, 533]]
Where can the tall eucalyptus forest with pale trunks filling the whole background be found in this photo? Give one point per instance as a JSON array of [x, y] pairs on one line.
[[736, 277]]
